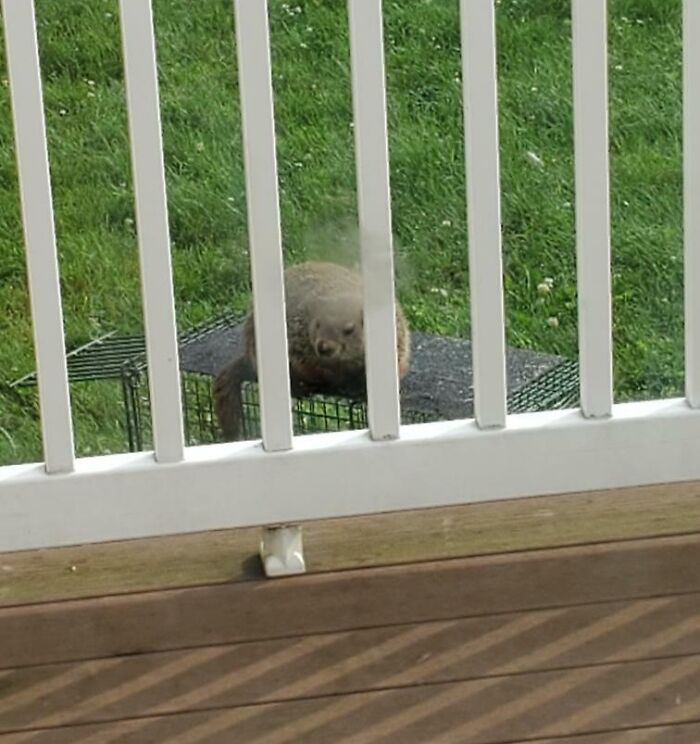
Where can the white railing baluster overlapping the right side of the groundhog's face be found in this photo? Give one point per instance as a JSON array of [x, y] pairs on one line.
[[374, 207]]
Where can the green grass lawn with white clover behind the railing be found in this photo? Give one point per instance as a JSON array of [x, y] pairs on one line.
[[84, 97]]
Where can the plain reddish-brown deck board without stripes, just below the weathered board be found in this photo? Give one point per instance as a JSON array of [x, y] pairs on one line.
[[158, 621]]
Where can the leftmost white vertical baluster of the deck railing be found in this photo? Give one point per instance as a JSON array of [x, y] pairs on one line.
[[40, 238]]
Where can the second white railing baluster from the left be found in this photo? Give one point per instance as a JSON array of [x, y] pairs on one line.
[[141, 77]]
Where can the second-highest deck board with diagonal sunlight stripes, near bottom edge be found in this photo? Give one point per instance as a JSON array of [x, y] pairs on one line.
[[485, 711]]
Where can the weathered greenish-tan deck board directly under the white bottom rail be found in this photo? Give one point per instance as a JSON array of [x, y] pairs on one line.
[[330, 545]]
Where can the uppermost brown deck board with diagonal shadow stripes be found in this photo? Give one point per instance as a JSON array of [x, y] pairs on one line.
[[348, 662]]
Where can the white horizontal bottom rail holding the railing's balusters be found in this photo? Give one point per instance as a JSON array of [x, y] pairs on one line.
[[345, 474]]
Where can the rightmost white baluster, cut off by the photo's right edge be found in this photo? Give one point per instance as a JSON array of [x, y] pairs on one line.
[[691, 196]]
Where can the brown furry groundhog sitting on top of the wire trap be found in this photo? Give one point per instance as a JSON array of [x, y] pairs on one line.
[[325, 338]]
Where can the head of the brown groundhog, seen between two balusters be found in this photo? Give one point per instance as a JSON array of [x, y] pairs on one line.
[[336, 329]]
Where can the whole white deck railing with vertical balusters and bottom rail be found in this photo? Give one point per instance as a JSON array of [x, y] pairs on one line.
[[179, 489]]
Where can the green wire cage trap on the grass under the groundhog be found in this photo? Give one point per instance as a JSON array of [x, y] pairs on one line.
[[437, 386]]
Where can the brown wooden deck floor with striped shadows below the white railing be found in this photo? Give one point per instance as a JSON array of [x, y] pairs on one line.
[[585, 644]]
